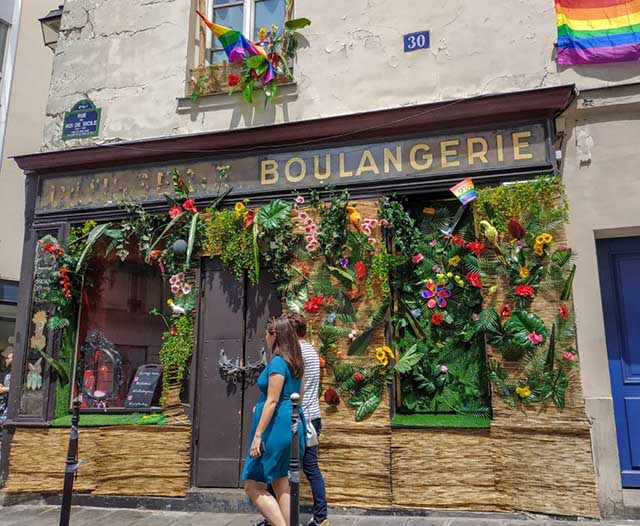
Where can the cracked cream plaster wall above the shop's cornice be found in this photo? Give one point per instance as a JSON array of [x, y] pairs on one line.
[[130, 57]]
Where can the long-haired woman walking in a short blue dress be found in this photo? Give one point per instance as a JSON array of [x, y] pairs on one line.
[[267, 462]]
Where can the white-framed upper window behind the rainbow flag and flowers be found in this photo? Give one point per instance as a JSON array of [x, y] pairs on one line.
[[247, 16]]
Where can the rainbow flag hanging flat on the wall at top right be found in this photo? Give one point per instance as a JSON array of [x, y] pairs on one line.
[[598, 31]]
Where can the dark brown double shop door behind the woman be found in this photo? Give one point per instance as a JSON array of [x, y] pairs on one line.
[[233, 318]]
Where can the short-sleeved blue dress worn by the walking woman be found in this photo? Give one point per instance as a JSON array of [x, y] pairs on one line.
[[276, 439]]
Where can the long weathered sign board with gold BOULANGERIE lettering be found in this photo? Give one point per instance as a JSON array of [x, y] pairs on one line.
[[379, 164]]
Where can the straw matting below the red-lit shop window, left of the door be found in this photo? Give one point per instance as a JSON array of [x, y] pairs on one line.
[[132, 460]]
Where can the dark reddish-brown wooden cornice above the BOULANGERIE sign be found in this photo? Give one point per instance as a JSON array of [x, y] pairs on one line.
[[477, 111]]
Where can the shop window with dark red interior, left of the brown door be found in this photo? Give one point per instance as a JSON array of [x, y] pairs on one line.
[[118, 334]]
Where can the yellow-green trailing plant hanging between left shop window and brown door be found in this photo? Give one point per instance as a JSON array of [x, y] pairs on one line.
[[176, 351]]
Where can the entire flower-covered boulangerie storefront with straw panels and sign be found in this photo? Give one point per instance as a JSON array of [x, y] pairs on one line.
[[451, 378]]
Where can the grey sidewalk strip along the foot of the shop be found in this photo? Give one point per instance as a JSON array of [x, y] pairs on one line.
[[25, 515]]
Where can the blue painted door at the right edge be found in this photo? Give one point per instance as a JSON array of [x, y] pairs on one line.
[[619, 263]]
